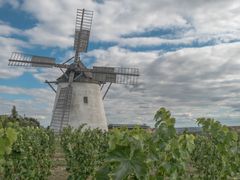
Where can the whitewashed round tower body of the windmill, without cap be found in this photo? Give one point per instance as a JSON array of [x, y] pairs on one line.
[[76, 104]]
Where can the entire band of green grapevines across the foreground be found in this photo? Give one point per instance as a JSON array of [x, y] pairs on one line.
[[162, 153]]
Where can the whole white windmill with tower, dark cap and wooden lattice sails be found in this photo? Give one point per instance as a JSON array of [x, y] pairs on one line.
[[78, 95]]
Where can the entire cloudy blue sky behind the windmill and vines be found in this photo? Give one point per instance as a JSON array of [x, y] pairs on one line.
[[188, 54]]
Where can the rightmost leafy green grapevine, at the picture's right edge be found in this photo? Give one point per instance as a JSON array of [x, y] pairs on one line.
[[217, 153]]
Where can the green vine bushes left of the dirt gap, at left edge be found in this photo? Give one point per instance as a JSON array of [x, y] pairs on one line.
[[27, 154]]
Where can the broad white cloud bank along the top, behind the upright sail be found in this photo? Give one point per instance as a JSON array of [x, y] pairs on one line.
[[114, 19]]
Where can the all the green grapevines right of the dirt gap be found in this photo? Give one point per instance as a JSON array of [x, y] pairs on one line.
[[145, 155]]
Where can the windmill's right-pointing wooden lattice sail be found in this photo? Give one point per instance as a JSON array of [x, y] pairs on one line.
[[115, 75]]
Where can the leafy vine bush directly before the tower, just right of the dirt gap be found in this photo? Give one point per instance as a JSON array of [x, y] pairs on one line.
[[84, 150]]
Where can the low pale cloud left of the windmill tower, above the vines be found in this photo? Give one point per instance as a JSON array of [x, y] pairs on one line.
[[38, 105]]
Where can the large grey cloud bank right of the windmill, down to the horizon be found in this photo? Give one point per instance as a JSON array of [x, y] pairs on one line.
[[197, 81]]
